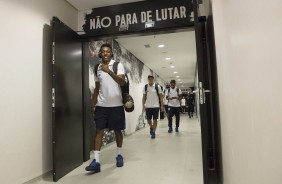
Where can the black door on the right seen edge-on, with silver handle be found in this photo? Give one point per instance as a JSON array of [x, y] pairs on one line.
[[210, 147]]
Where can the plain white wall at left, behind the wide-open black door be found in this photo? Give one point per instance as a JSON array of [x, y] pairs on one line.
[[25, 111]]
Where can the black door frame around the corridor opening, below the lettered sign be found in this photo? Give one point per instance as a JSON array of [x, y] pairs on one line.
[[210, 176]]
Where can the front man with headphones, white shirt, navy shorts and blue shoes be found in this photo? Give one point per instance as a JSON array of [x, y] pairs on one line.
[[107, 105]]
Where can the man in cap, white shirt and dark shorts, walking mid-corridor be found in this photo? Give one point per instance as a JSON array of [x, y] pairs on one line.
[[152, 103]]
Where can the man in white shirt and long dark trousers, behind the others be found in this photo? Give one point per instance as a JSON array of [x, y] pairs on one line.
[[173, 95]]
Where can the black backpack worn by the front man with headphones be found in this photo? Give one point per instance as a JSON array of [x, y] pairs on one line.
[[124, 88]]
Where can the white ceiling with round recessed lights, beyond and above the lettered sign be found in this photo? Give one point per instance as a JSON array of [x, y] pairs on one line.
[[179, 46]]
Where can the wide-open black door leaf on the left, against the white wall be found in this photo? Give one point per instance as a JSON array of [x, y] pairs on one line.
[[67, 96]]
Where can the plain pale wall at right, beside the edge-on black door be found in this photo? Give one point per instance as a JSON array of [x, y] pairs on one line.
[[248, 47]]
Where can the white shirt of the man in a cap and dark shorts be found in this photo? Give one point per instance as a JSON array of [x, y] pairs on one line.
[[152, 100]]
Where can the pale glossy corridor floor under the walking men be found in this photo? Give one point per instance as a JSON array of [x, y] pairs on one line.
[[170, 158]]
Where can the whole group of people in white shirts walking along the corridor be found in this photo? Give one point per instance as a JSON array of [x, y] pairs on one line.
[[108, 105]]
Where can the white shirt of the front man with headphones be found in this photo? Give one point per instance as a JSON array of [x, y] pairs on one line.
[[109, 93]]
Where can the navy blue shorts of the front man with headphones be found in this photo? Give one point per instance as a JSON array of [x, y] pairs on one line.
[[112, 118]]
